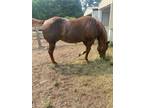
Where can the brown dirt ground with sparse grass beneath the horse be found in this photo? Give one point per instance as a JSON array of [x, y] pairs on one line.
[[74, 83]]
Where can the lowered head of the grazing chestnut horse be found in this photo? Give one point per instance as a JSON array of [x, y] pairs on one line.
[[102, 49]]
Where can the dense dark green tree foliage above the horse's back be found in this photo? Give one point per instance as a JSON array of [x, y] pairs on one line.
[[44, 9]]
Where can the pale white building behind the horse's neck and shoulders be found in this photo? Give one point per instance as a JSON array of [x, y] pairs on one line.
[[104, 13]]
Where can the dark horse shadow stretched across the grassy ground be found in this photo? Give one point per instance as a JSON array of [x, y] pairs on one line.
[[80, 67]]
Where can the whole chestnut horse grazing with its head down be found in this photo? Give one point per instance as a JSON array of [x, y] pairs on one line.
[[84, 29]]
